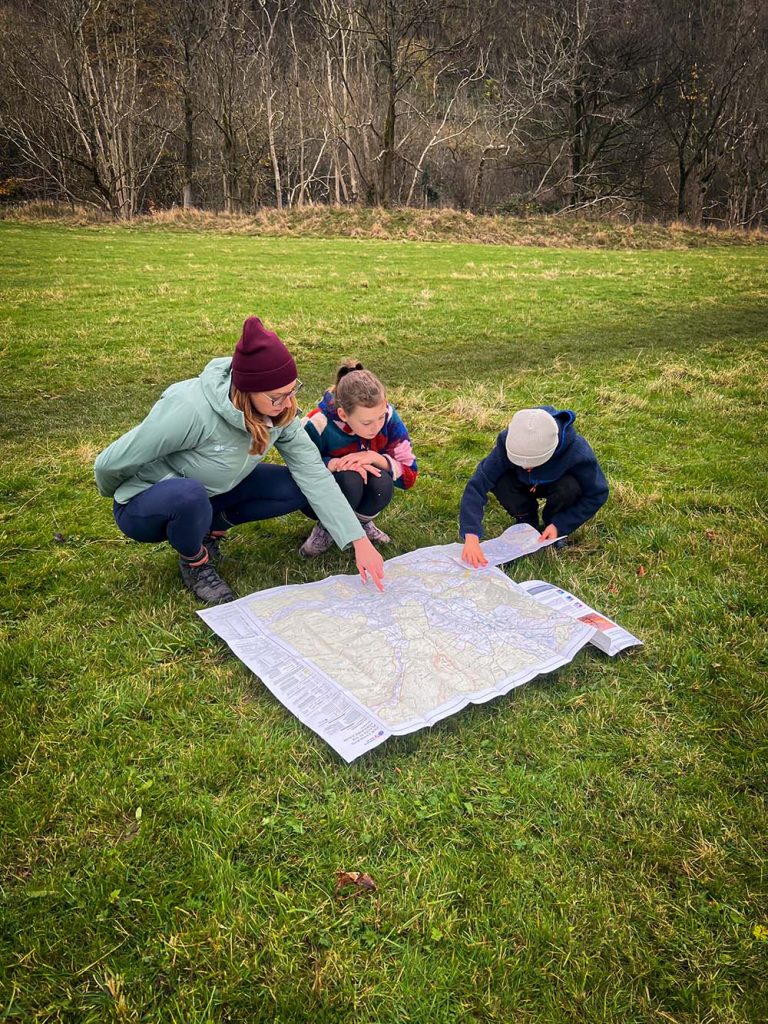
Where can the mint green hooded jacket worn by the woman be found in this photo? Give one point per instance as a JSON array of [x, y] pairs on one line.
[[195, 432]]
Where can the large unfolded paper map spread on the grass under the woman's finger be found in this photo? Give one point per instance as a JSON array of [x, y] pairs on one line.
[[359, 666]]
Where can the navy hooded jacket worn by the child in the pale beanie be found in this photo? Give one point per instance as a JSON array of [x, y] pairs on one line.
[[573, 456]]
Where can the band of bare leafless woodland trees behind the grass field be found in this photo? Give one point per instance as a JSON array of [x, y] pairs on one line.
[[650, 109]]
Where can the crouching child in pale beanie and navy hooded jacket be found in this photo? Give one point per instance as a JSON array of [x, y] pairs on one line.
[[539, 456]]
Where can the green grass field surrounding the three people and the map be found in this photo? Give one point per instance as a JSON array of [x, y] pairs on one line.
[[590, 848]]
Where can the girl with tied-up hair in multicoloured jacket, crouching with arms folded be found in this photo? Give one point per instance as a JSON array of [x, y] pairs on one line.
[[365, 444]]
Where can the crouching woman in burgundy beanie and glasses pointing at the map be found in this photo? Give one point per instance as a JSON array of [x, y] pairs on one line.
[[194, 467]]
